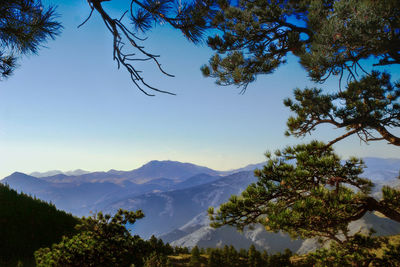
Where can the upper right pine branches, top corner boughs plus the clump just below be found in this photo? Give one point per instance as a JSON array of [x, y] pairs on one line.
[[330, 38]]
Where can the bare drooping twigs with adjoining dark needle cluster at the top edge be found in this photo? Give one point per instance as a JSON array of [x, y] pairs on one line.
[[192, 19]]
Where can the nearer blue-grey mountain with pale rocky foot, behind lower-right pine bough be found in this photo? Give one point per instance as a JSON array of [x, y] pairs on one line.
[[185, 209]]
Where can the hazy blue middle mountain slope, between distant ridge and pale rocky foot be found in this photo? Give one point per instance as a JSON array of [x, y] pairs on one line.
[[166, 211]]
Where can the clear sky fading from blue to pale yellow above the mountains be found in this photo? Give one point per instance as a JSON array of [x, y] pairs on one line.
[[69, 107]]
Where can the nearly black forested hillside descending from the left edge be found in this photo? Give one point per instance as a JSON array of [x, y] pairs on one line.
[[27, 224]]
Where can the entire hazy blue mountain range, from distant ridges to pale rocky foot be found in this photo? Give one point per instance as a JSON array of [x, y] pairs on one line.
[[174, 197]]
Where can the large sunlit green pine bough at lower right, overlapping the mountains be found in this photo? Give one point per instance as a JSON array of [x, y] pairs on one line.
[[306, 191]]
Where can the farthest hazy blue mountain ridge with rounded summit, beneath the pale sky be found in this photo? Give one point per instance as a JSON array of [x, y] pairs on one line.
[[92, 191]]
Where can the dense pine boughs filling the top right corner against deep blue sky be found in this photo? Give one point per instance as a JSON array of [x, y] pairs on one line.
[[329, 37]]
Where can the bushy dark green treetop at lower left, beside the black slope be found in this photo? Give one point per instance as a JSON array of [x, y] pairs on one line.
[[102, 240]]
